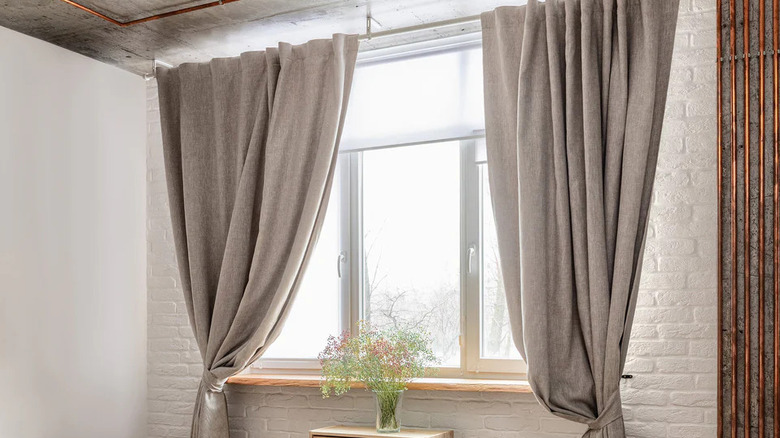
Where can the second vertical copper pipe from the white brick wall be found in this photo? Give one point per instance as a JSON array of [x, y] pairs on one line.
[[733, 69]]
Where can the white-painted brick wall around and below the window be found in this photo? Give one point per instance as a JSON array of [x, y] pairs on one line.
[[672, 354]]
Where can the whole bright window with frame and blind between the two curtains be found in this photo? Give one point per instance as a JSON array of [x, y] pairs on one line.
[[409, 238]]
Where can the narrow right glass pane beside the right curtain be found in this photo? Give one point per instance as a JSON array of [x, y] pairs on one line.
[[497, 340]]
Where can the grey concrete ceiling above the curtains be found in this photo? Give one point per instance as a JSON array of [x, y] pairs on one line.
[[225, 30]]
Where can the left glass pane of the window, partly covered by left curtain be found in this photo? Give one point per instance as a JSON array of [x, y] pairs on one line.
[[315, 312]]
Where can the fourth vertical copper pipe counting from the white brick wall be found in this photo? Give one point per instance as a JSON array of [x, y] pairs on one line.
[[761, 205]]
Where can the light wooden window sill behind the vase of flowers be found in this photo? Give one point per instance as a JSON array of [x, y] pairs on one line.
[[428, 384]]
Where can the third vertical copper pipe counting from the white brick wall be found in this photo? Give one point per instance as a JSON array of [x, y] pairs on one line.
[[746, 208]]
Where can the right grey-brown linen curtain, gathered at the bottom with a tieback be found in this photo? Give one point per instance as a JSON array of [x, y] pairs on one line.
[[575, 92]]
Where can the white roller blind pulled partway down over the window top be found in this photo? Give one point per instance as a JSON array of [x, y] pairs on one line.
[[415, 99]]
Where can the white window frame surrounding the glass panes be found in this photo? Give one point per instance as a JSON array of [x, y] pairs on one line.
[[349, 261]]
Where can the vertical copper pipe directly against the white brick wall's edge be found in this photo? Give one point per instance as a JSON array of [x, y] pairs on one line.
[[719, 61]]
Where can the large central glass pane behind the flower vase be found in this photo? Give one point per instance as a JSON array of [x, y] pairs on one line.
[[411, 238]]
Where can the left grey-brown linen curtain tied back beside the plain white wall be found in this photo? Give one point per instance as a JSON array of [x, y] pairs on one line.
[[250, 145]]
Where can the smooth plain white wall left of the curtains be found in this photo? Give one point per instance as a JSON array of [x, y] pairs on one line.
[[72, 245]]
